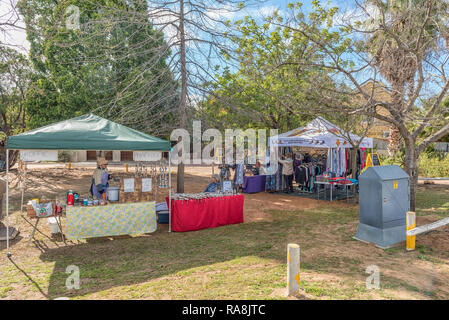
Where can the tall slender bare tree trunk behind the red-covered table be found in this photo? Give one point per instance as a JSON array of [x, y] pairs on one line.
[[182, 104]]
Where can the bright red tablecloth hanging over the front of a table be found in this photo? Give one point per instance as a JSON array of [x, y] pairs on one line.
[[189, 215]]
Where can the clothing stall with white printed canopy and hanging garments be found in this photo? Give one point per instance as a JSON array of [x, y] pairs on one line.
[[332, 159]]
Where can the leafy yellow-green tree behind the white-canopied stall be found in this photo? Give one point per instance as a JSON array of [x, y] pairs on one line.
[[265, 91]]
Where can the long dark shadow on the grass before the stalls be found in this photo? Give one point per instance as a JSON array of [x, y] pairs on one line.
[[106, 263]]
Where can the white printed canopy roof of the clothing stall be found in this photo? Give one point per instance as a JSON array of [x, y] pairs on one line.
[[318, 133]]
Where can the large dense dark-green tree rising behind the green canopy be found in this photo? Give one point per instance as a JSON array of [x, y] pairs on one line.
[[108, 63]]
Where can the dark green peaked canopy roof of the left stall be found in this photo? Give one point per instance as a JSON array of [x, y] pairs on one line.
[[87, 132]]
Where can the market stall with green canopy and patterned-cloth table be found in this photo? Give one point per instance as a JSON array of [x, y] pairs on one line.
[[135, 213]]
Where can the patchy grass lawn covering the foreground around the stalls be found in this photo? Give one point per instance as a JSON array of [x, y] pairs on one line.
[[246, 261]]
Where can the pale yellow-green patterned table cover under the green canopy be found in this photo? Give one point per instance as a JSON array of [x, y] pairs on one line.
[[110, 220]]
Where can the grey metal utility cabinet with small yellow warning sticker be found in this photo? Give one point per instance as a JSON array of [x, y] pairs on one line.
[[384, 199]]
